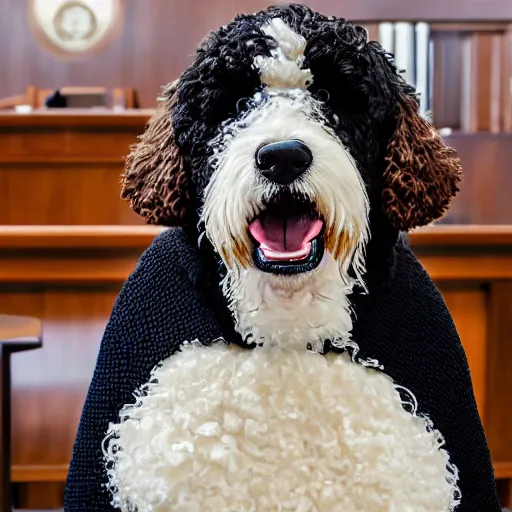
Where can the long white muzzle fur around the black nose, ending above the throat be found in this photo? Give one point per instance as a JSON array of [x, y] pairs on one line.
[[237, 191]]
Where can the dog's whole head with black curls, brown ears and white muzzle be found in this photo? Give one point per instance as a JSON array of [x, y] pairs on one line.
[[282, 135]]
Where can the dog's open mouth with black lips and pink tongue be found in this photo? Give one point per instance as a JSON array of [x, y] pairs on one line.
[[288, 236]]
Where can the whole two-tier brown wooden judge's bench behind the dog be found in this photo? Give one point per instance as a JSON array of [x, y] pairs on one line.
[[67, 243]]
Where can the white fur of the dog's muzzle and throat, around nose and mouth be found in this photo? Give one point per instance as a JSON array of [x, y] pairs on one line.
[[294, 308]]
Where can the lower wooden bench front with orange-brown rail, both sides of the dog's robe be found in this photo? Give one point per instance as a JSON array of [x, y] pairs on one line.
[[69, 277]]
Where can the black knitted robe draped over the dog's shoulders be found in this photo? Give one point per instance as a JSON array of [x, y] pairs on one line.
[[173, 296]]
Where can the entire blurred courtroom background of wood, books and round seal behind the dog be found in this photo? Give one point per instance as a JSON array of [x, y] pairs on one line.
[[78, 80]]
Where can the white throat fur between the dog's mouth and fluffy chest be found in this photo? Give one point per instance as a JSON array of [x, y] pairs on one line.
[[301, 311]]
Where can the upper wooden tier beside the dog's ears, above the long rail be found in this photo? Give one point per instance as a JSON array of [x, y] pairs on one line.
[[64, 166]]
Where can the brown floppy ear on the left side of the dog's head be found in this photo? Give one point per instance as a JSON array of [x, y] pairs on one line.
[[155, 180]]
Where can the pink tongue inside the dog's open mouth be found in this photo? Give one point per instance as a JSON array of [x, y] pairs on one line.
[[285, 237]]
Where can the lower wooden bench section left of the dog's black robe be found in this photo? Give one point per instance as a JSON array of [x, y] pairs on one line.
[[70, 282]]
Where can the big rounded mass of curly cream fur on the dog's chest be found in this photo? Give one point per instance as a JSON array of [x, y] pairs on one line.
[[223, 429]]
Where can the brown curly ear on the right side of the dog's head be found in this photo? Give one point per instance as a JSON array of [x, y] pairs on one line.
[[423, 173]]
